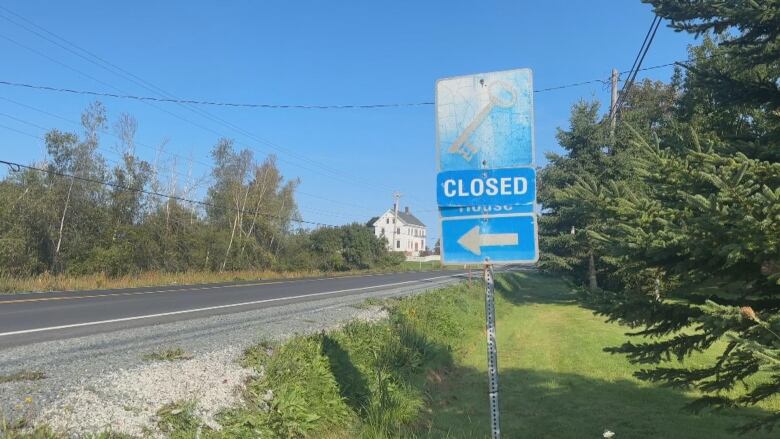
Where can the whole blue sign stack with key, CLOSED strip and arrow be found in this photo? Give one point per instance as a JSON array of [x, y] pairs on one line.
[[486, 187]]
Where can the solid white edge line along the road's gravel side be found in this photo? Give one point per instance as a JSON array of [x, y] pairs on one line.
[[209, 308]]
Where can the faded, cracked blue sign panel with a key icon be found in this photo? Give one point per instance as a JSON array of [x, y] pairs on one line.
[[485, 121]]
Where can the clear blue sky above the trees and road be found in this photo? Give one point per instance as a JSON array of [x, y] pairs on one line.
[[320, 53]]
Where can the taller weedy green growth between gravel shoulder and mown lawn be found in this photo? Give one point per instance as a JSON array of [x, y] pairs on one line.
[[364, 380]]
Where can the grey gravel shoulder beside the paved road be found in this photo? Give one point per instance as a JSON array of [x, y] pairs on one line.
[[100, 382]]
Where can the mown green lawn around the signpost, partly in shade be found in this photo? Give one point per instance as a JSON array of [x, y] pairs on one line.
[[557, 382]]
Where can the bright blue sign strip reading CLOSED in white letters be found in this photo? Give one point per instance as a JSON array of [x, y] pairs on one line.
[[489, 187]]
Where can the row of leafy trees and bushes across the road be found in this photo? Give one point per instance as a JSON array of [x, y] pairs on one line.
[[75, 214]]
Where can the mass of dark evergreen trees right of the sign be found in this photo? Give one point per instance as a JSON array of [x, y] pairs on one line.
[[672, 222]]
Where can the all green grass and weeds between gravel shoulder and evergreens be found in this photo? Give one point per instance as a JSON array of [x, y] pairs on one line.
[[422, 373]]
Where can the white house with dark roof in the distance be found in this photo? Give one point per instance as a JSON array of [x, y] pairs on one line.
[[406, 235]]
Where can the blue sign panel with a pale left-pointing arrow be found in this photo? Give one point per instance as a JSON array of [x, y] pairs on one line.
[[501, 239]]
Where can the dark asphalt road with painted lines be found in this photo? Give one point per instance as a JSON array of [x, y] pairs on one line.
[[34, 317]]
